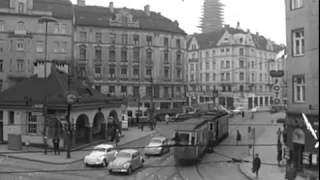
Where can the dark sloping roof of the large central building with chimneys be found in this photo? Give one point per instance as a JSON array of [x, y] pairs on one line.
[[99, 16]]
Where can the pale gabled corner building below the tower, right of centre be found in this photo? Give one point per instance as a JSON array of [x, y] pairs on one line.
[[234, 62]]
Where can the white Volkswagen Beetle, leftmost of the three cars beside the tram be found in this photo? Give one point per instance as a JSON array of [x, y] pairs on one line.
[[101, 155]]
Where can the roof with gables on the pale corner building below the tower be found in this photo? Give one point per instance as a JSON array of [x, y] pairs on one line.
[[211, 39]]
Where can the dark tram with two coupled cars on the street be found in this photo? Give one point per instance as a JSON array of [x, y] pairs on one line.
[[196, 135]]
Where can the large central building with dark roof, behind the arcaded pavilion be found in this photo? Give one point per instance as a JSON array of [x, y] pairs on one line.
[[128, 53]]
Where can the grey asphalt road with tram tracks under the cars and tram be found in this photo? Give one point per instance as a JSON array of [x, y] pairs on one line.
[[156, 168]]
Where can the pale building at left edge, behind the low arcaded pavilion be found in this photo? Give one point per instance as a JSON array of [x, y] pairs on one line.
[[22, 37]]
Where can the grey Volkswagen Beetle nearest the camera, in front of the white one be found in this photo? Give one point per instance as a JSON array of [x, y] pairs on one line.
[[126, 161]]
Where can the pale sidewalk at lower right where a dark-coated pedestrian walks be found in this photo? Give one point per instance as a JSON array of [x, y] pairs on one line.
[[267, 154]]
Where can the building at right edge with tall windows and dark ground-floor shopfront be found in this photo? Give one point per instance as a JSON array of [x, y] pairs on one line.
[[302, 27]]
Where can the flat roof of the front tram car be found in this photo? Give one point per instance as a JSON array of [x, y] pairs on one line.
[[190, 124]]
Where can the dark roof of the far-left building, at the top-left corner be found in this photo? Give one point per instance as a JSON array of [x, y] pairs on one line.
[[60, 8]]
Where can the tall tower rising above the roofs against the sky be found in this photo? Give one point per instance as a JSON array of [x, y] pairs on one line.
[[212, 16]]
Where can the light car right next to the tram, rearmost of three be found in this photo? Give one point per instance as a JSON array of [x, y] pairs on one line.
[[157, 146]]
